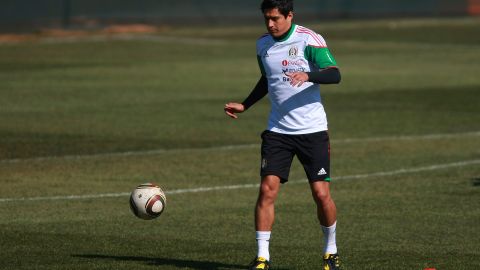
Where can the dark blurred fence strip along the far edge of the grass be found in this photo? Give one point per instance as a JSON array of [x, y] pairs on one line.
[[33, 14]]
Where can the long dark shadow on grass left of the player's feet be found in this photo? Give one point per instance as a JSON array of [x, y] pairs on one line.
[[191, 264]]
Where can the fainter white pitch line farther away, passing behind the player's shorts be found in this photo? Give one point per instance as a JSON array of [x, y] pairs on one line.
[[238, 146]]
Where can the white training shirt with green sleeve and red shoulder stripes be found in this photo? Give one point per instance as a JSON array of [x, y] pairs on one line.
[[295, 110]]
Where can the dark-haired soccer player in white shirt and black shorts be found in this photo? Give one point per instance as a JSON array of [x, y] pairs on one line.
[[293, 61]]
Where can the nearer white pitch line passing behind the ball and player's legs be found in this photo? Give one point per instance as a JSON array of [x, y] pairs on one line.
[[434, 167]]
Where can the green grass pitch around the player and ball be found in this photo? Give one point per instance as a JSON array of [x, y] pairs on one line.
[[83, 122]]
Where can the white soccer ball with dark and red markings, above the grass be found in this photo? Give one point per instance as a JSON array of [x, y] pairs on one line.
[[147, 201]]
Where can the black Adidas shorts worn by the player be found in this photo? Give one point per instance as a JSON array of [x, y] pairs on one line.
[[313, 151]]
